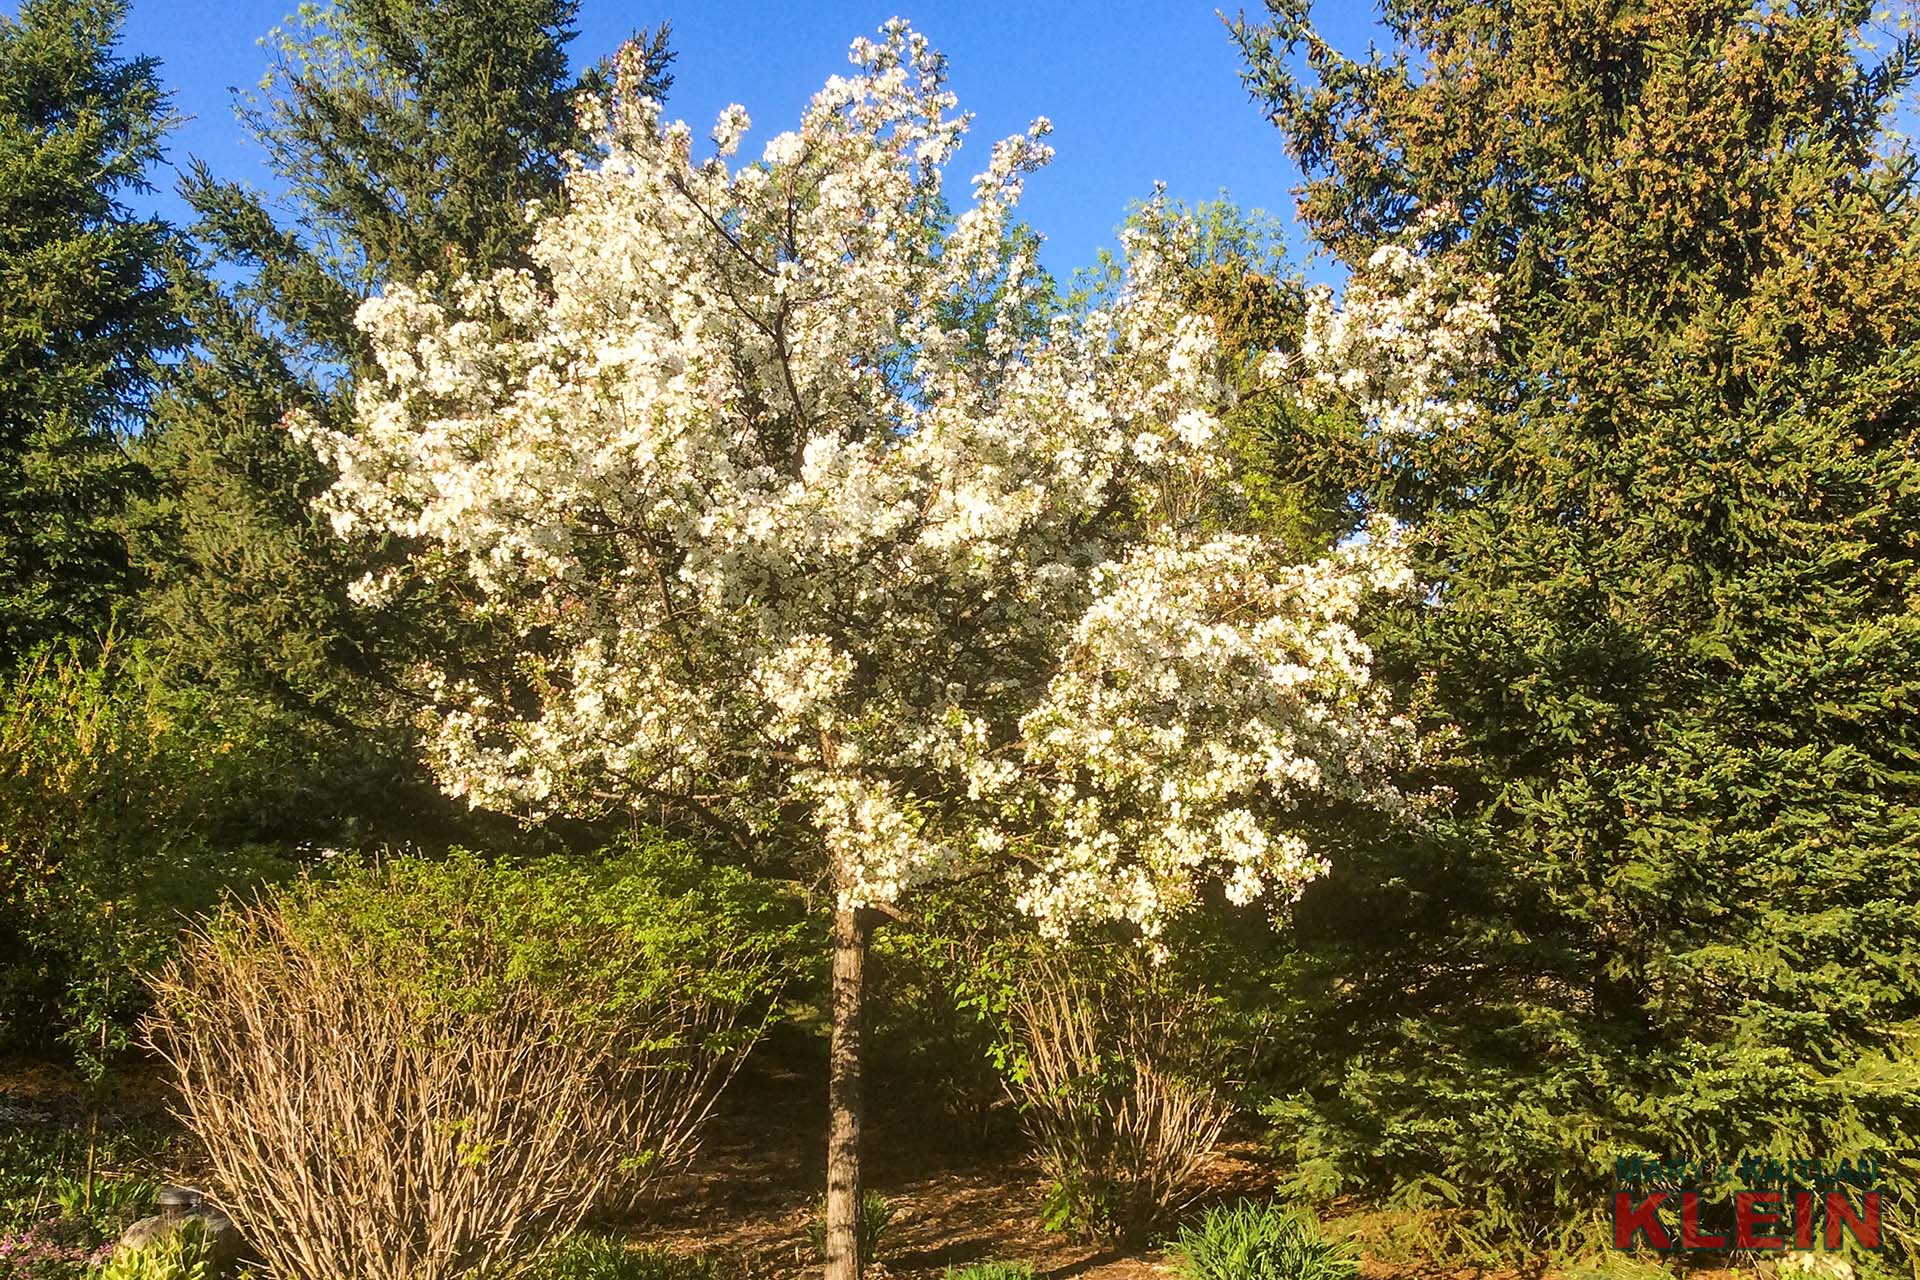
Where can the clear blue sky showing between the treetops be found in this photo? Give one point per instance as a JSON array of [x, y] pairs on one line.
[[1138, 91]]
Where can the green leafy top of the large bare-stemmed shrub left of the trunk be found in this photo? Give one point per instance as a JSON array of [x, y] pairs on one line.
[[683, 962]]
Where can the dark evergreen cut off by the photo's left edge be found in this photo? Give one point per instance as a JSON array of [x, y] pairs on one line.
[[84, 312]]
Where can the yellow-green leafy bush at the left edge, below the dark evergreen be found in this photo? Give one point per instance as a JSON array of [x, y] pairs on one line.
[[126, 807]]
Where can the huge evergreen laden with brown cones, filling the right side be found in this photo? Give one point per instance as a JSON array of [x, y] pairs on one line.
[[1675, 609]]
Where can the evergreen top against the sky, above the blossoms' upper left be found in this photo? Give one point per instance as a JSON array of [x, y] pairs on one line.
[[416, 133]]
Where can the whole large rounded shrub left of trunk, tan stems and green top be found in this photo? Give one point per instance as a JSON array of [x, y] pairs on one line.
[[475, 1053]]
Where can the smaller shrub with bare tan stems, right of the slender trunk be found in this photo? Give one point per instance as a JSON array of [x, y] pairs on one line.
[[1109, 1093]]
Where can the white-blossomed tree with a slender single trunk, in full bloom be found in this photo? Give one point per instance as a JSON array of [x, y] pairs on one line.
[[792, 511]]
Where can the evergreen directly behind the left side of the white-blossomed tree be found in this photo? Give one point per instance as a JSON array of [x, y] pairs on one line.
[[410, 137]]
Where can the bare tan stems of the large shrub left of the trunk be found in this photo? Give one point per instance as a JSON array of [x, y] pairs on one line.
[[362, 1129]]
